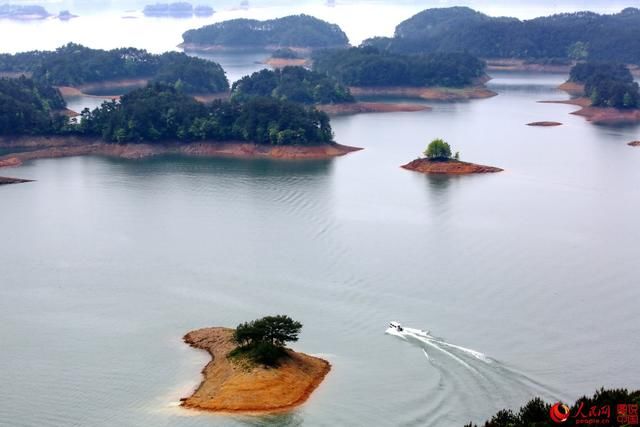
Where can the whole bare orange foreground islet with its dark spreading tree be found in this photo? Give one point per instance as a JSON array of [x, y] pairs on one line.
[[251, 371]]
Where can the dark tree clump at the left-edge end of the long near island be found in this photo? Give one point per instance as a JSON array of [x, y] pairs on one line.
[[29, 108]]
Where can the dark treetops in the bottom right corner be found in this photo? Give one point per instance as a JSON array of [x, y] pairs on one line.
[[536, 411]]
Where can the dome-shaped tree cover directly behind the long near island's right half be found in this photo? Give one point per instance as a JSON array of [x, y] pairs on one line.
[[295, 84]]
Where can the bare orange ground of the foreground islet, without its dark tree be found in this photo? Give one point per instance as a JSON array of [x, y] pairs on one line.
[[231, 388]]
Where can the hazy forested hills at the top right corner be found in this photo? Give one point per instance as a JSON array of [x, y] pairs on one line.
[[580, 35]]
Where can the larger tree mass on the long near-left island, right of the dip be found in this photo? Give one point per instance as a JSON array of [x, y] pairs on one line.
[[162, 113]]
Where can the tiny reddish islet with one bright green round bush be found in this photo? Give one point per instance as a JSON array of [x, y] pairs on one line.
[[439, 160]]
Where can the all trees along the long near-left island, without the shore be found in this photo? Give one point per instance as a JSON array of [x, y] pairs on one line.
[[159, 113]]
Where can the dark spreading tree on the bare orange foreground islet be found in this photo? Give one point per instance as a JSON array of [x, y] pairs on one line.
[[262, 341]]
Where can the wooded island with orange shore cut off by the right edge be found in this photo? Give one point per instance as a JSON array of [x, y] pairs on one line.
[[605, 91]]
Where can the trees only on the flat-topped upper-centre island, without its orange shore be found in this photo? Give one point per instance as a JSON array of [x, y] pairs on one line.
[[369, 66]]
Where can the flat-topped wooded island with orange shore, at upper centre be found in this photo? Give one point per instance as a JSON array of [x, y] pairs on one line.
[[369, 71]]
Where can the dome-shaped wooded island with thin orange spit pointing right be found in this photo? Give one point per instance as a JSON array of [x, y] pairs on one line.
[[298, 84]]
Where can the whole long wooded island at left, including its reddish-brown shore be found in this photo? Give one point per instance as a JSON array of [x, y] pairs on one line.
[[158, 119]]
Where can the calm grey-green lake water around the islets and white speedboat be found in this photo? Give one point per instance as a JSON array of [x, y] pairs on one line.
[[107, 263]]
